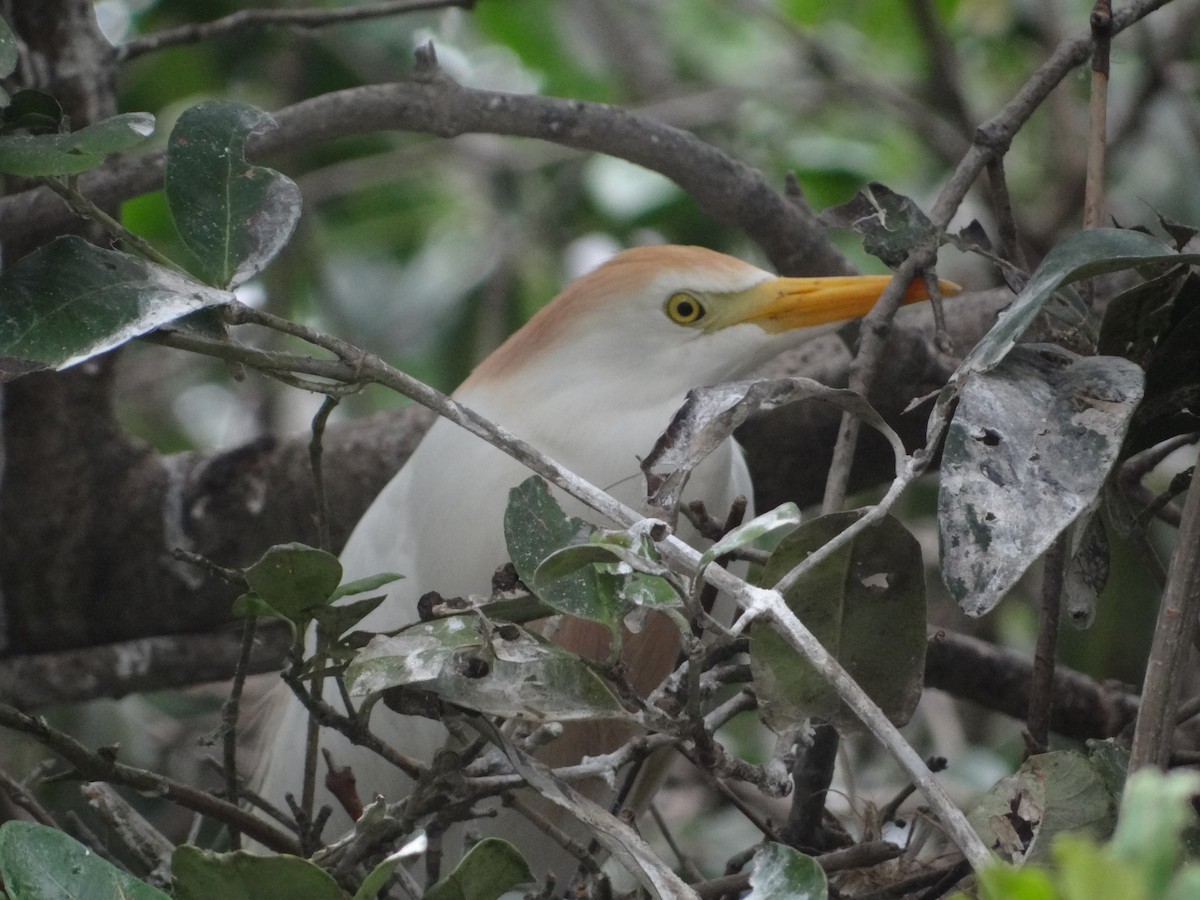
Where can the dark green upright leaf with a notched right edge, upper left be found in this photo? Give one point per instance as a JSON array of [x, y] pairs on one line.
[[233, 217]]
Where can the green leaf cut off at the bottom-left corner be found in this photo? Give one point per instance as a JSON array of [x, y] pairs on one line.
[[41, 863]]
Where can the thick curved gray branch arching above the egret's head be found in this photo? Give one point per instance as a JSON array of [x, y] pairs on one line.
[[433, 104]]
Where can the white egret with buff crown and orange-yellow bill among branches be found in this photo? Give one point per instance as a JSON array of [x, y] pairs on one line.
[[591, 381]]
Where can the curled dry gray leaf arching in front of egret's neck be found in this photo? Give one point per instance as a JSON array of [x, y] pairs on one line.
[[712, 415]]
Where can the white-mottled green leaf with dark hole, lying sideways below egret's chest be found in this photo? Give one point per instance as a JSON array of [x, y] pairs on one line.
[[495, 670]]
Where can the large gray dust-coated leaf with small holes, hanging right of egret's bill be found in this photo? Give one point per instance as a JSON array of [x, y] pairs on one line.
[[1029, 449]]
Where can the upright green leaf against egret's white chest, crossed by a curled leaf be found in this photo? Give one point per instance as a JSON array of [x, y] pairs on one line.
[[535, 529]]
